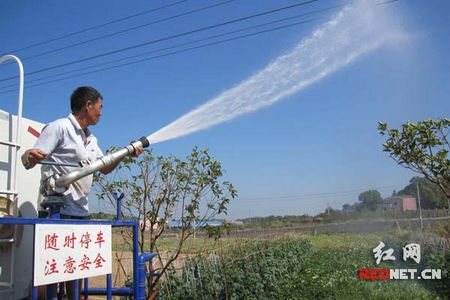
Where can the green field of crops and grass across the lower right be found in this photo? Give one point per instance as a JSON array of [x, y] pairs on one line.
[[301, 266]]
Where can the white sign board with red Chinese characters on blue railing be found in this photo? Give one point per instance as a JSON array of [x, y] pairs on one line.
[[68, 252]]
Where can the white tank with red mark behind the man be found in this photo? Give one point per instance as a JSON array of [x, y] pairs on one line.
[[28, 191]]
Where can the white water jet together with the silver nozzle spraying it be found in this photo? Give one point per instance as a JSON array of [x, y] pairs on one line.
[[352, 32]]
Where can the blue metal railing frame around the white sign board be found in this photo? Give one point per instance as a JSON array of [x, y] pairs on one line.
[[137, 291]]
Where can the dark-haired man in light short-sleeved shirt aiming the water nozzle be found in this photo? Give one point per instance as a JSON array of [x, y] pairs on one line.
[[69, 140]]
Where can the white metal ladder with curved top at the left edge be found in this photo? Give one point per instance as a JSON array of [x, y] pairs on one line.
[[11, 192]]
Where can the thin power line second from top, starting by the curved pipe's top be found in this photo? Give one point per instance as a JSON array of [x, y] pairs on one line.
[[127, 30]]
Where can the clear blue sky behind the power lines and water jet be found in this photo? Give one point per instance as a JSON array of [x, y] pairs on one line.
[[315, 148]]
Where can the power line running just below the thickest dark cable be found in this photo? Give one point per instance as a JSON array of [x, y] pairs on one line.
[[182, 44]]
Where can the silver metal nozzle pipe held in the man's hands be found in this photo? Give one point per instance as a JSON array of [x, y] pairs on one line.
[[100, 163]]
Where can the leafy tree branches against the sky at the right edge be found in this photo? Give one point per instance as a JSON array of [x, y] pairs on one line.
[[422, 147]]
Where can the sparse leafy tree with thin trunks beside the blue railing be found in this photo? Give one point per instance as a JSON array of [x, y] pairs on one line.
[[159, 189]]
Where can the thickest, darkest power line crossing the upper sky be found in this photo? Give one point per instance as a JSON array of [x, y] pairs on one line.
[[164, 39]]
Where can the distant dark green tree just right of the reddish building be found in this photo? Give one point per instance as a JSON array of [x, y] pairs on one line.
[[431, 195]]
